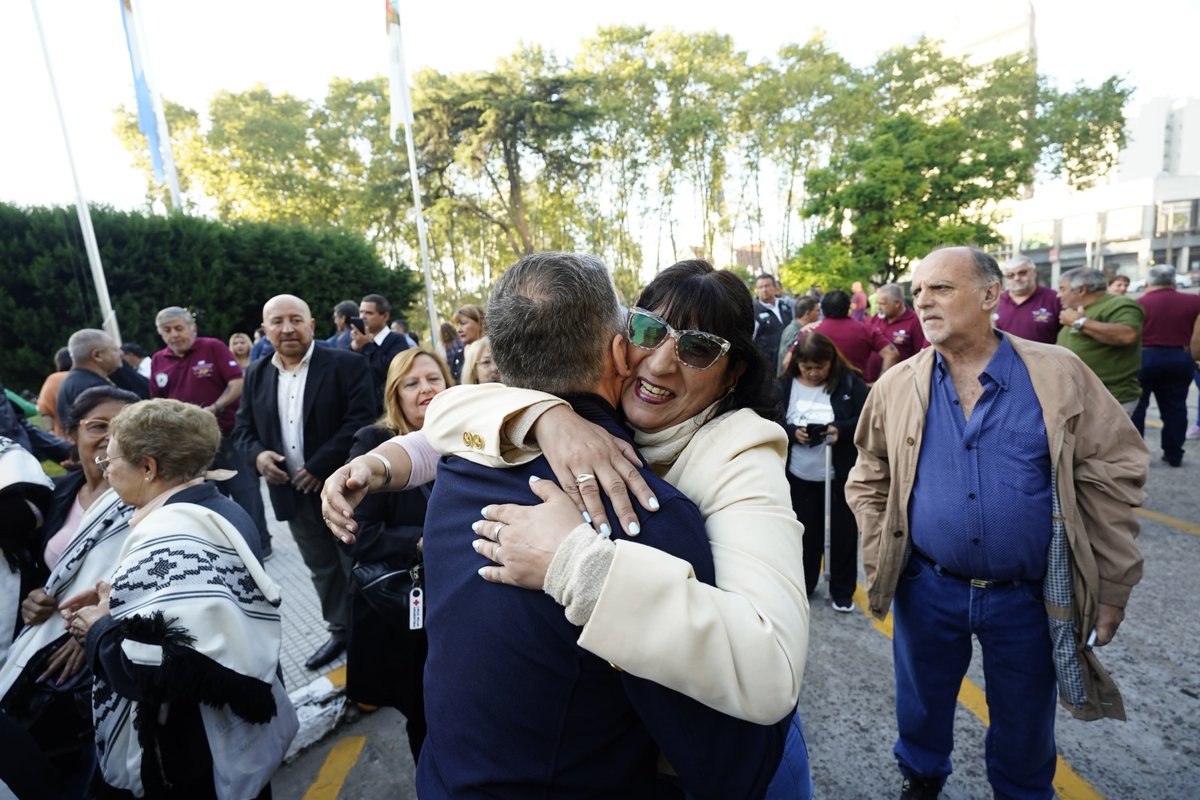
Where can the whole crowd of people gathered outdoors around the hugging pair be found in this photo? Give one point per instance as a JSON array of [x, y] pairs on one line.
[[611, 531]]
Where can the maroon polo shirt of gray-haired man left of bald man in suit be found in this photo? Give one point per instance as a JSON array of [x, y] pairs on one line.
[[197, 377]]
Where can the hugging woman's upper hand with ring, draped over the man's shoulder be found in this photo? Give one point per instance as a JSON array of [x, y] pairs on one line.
[[577, 450]]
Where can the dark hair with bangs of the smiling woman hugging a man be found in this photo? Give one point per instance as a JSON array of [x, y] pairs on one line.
[[694, 296]]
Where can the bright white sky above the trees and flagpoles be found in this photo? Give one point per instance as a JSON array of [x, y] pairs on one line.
[[197, 49]]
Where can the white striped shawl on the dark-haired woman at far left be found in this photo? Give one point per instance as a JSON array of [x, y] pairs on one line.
[[91, 556]]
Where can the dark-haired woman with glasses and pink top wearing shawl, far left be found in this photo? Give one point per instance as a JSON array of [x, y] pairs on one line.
[[45, 684]]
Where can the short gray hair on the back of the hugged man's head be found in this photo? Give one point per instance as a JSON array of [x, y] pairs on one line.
[[551, 318]]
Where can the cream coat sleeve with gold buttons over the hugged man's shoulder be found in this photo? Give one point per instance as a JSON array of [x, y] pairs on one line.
[[470, 422]]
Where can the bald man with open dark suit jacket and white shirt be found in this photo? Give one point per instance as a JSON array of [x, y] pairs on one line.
[[301, 410]]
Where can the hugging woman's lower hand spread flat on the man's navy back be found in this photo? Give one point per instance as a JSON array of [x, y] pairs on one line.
[[523, 540]]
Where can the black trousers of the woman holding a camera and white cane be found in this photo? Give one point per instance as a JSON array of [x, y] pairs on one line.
[[808, 503]]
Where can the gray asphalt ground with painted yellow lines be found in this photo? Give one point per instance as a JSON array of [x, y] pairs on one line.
[[849, 693]]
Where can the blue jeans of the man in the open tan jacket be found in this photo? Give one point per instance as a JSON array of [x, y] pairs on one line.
[[935, 616]]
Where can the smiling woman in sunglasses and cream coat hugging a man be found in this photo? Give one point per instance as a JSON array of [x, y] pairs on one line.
[[703, 407]]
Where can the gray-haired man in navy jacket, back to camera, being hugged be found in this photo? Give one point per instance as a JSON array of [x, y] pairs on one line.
[[500, 655]]
